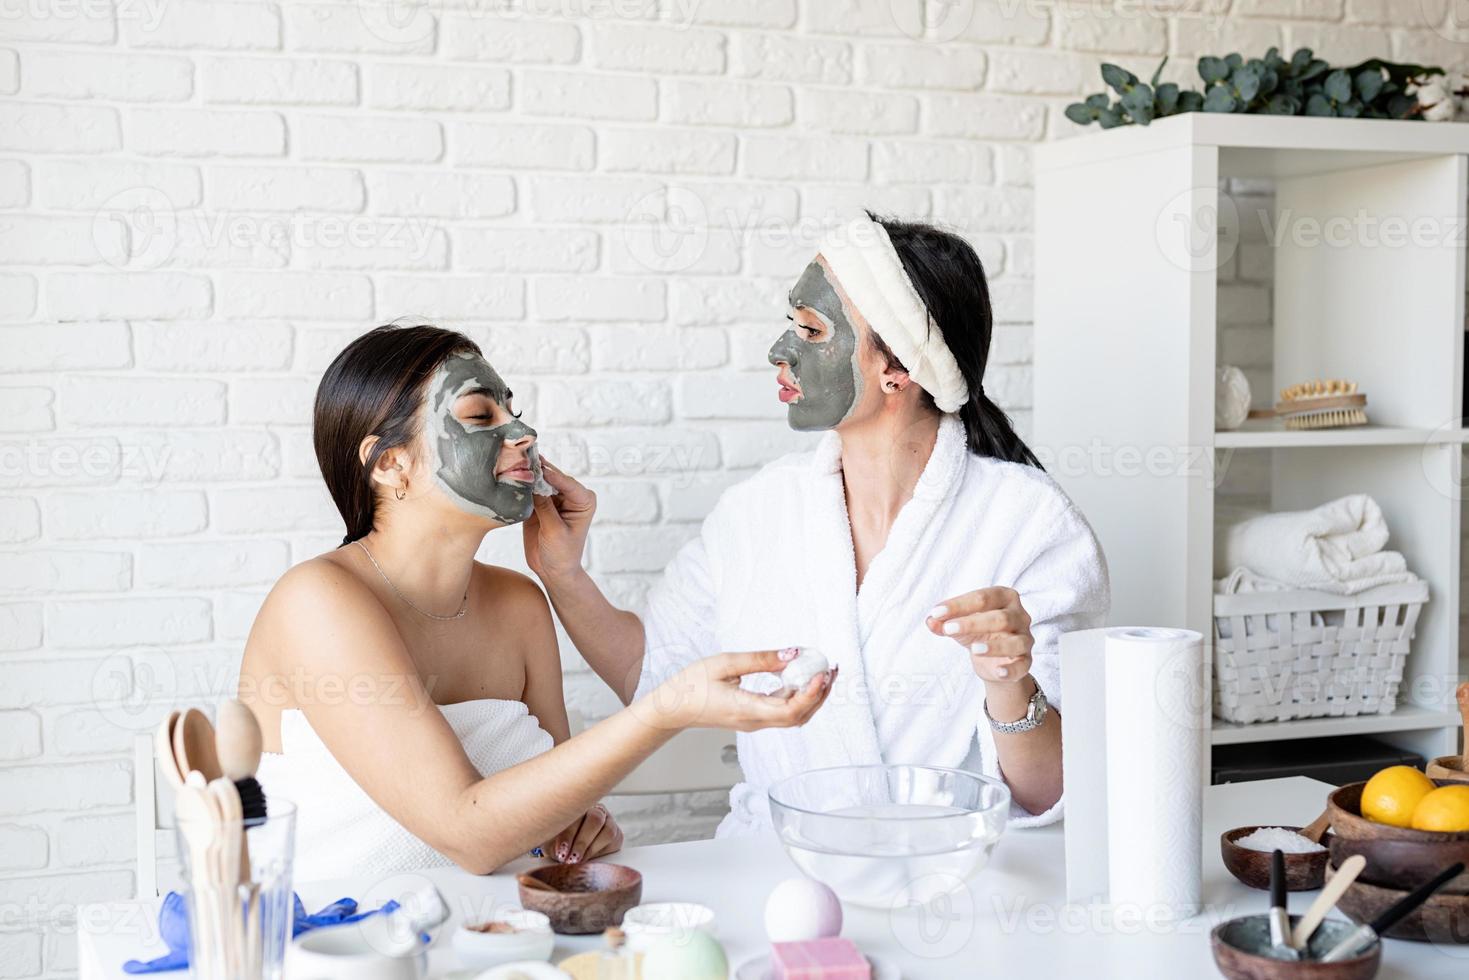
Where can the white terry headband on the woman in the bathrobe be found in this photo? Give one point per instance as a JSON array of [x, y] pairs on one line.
[[866, 264]]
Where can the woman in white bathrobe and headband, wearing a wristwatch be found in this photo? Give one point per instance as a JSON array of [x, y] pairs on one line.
[[920, 547]]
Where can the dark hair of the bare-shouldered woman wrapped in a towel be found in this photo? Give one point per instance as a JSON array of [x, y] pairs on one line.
[[374, 387]]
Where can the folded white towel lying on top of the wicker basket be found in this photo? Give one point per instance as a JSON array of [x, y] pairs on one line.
[[1338, 547]]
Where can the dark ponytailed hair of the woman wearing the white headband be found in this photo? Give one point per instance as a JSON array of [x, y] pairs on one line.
[[950, 280]]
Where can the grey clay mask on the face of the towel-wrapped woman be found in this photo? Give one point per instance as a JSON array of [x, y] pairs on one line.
[[466, 452]]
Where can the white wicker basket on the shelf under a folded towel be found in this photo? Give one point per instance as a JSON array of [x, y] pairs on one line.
[[1304, 655]]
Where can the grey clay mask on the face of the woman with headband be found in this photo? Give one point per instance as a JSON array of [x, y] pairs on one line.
[[826, 371]]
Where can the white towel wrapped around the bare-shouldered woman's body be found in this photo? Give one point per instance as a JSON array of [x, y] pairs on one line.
[[340, 831]]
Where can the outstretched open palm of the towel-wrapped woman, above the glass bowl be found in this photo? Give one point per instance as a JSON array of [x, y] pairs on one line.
[[707, 696]]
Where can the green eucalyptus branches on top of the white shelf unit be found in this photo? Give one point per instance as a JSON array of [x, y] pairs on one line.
[[1302, 86]]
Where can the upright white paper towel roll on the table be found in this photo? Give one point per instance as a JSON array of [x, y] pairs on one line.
[[1157, 735]]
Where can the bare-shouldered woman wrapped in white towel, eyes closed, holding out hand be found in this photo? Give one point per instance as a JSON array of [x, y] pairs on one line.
[[409, 696]]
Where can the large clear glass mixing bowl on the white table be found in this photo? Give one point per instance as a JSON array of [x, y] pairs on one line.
[[889, 837]]
